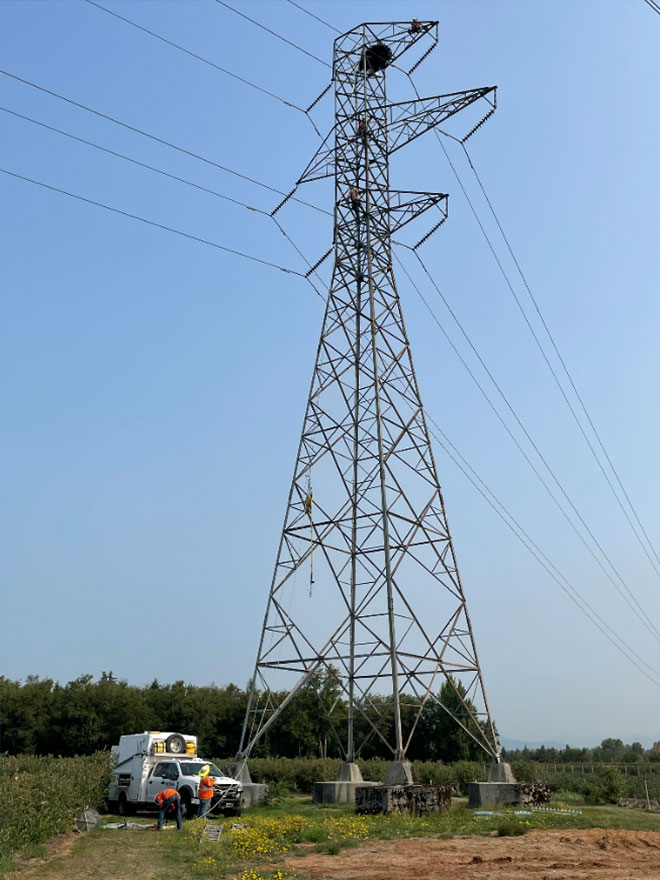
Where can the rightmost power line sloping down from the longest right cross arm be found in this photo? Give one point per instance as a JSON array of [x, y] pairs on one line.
[[575, 390]]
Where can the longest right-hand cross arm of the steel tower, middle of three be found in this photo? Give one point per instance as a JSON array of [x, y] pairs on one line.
[[408, 120]]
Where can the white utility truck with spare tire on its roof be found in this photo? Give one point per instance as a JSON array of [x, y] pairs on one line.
[[145, 763]]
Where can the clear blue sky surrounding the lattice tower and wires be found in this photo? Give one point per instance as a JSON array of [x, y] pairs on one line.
[[154, 387]]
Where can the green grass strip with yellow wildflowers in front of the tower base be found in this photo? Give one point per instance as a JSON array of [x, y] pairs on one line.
[[295, 824]]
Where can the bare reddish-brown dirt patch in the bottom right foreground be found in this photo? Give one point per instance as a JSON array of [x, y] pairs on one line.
[[593, 854]]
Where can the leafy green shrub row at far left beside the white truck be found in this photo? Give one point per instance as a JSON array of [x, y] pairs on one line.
[[40, 797]]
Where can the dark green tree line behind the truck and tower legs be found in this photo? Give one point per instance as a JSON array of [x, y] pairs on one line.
[[43, 717]]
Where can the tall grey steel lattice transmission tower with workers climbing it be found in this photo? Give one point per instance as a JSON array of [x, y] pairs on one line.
[[365, 520]]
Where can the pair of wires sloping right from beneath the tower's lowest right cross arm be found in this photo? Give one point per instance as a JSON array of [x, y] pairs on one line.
[[648, 625]]
